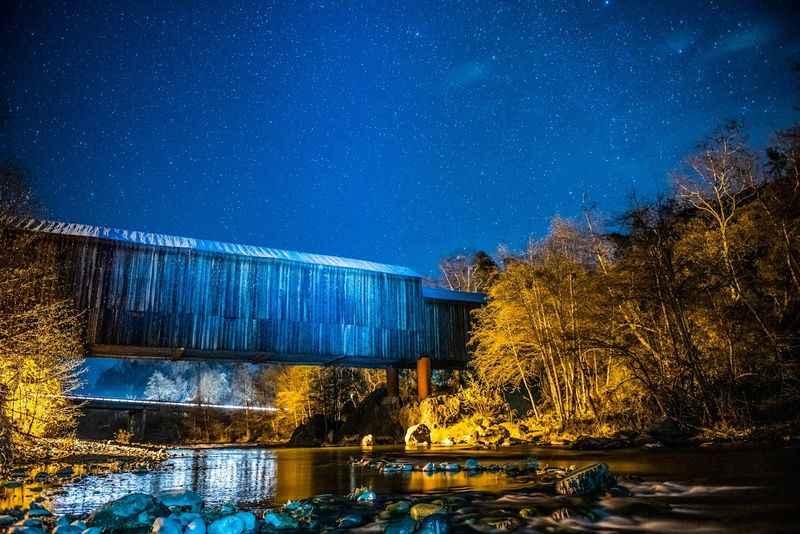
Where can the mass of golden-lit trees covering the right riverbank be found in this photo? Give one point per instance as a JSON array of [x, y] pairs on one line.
[[688, 310]]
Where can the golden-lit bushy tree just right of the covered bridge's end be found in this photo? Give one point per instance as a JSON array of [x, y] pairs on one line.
[[539, 329]]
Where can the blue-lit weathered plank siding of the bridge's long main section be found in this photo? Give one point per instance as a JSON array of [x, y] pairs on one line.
[[147, 296]]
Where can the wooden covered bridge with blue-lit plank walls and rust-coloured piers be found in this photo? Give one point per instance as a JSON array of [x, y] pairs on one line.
[[149, 295]]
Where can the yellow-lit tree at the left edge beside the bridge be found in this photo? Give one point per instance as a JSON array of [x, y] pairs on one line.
[[40, 331]]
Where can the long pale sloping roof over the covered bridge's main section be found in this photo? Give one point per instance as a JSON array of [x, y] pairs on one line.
[[202, 245]]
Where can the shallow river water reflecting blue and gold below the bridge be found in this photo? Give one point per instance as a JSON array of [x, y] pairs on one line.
[[705, 490]]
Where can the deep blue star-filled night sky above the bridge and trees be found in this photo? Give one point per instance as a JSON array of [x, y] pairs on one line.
[[396, 132]]
